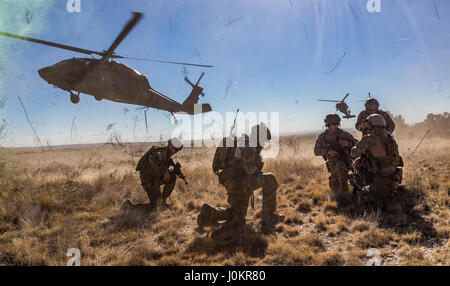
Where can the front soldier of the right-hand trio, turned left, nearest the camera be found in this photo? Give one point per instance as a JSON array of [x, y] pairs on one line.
[[384, 160]]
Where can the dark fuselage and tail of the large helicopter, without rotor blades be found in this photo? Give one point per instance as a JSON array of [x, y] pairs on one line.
[[114, 81]]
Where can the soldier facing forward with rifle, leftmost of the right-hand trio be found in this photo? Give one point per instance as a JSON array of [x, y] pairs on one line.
[[334, 146]]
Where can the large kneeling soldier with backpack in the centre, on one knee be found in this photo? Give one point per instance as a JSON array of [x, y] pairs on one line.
[[240, 171]]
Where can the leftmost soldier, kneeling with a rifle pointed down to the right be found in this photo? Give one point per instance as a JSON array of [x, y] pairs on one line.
[[154, 171]]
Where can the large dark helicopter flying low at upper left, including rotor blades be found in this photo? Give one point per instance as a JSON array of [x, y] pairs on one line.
[[106, 79]]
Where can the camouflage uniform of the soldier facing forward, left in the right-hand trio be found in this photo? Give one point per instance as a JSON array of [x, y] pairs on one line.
[[338, 166]]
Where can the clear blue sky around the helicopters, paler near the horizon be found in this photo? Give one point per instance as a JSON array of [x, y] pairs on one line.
[[275, 56]]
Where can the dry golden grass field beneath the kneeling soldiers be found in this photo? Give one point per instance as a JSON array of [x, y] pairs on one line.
[[70, 197]]
